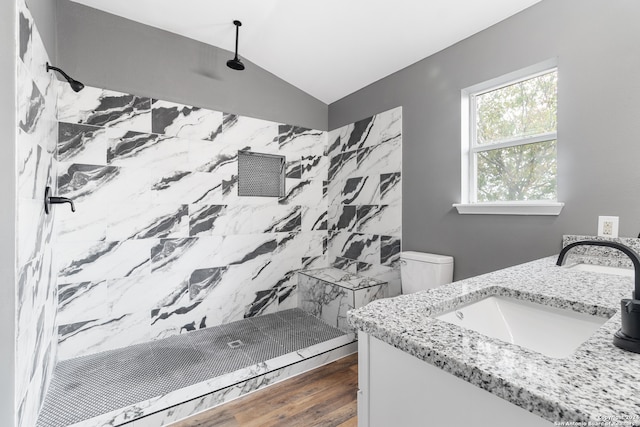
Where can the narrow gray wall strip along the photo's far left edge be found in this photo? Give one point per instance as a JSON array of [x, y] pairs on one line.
[[7, 212]]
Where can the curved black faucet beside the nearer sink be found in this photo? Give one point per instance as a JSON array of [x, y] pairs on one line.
[[628, 336]]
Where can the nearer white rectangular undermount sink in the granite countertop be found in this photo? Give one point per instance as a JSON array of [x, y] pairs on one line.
[[551, 331]]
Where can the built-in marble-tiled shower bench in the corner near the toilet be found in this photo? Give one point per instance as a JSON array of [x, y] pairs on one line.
[[328, 293]]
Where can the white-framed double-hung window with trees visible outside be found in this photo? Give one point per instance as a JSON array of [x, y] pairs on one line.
[[509, 152]]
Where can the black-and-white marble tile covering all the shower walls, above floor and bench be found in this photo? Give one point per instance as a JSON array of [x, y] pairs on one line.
[[161, 244]]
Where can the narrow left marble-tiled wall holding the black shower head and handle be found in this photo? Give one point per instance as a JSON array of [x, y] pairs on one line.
[[35, 334]]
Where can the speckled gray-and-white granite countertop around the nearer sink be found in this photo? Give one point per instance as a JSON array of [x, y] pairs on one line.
[[598, 382]]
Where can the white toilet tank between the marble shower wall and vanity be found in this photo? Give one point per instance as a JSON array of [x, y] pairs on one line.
[[420, 271]]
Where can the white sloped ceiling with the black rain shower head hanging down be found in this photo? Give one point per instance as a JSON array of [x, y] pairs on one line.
[[327, 48]]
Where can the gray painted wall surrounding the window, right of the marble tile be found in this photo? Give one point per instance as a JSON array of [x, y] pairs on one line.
[[596, 43]]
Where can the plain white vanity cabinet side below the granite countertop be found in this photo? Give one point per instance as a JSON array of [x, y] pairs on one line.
[[397, 389]]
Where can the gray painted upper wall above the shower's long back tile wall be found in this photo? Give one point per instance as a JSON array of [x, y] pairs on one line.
[[107, 51]]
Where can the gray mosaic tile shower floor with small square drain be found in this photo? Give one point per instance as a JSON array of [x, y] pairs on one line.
[[88, 386]]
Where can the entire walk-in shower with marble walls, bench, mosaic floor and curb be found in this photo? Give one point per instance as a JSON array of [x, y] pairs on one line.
[[167, 291]]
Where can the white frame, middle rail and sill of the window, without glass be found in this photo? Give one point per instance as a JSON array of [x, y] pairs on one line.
[[469, 204]]
